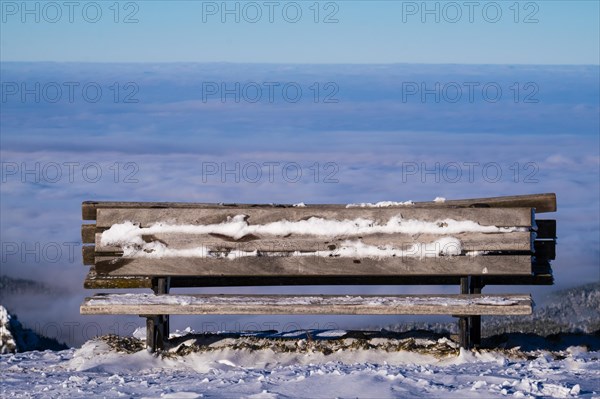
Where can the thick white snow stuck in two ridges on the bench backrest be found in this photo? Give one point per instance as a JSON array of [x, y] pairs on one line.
[[129, 236]]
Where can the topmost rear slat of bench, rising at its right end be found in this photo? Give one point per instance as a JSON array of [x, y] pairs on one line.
[[541, 202]]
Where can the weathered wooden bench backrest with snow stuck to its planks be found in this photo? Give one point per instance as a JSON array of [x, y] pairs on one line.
[[219, 244]]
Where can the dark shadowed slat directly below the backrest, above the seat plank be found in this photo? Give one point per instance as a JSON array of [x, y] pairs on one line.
[[99, 281]]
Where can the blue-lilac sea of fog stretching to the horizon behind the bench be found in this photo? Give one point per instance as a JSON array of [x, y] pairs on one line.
[[281, 134]]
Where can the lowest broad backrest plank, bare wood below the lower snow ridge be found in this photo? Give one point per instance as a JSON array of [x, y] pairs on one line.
[[312, 265]]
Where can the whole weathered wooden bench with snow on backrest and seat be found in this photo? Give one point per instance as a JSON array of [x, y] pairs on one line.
[[470, 243]]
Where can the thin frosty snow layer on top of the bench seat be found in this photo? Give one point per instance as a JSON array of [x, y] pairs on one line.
[[184, 300]]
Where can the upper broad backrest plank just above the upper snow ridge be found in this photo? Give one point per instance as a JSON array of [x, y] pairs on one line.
[[506, 217]]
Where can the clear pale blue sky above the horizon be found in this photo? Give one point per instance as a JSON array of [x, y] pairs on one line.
[[504, 32]]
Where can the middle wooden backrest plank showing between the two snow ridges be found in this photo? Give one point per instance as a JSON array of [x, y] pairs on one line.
[[513, 241]]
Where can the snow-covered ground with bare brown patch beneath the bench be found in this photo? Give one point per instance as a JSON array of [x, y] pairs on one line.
[[299, 367]]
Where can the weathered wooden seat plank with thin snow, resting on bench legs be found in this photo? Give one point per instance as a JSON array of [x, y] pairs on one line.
[[148, 304]]
